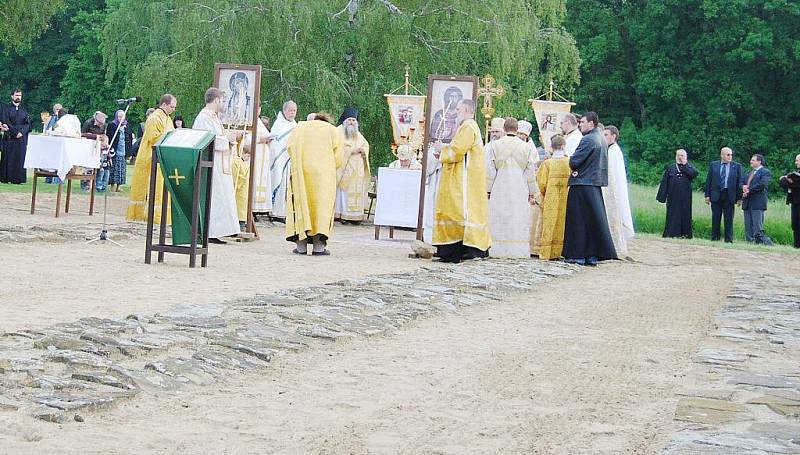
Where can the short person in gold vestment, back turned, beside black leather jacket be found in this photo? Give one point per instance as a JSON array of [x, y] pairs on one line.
[[553, 179]]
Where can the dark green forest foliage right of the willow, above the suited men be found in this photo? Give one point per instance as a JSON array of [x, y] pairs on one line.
[[696, 74]]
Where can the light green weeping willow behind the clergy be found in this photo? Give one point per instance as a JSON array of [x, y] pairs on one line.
[[329, 54]]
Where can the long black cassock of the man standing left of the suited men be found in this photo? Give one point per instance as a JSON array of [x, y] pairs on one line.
[[676, 191]]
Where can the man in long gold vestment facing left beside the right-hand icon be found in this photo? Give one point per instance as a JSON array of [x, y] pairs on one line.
[[461, 220]]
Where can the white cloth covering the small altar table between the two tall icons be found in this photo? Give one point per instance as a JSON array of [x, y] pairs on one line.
[[398, 197]]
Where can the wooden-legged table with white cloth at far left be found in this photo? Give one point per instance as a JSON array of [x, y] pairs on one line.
[[57, 156]]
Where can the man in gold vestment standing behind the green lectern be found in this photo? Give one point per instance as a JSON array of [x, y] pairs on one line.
[[156, 125]]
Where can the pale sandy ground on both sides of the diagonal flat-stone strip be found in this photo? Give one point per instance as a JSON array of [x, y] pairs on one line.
[[587, 364]]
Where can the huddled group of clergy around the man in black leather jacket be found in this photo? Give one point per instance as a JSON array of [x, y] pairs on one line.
[[508, 199]]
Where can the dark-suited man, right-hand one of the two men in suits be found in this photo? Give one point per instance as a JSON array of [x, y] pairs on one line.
[[754, 199]]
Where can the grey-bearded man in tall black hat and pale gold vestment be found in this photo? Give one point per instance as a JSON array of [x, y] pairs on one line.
[[354, 176]]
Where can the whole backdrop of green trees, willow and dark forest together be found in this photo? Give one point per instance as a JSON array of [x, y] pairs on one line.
[[693, 74]]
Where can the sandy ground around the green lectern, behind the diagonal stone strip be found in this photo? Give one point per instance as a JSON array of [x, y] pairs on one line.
[[44, 283]]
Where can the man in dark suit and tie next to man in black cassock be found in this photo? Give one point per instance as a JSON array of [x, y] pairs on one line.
[[723, 191]]
